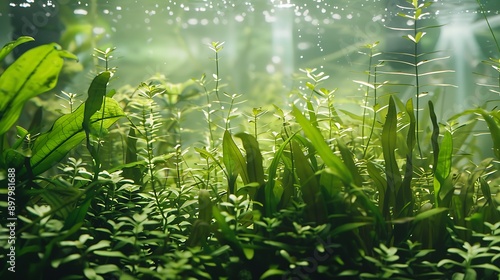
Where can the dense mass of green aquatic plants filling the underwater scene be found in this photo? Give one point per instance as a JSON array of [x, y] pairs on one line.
[[312, 191]]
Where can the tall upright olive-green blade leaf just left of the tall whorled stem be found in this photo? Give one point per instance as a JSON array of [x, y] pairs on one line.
[[389, 146]]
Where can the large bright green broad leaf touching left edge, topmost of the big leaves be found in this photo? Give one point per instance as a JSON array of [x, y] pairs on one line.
[[34, 73]]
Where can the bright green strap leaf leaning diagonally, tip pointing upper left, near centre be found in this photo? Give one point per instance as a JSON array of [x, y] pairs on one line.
[[337, 167]]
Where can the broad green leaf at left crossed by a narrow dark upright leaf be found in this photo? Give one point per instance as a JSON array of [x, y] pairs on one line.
[[66, 133]]
